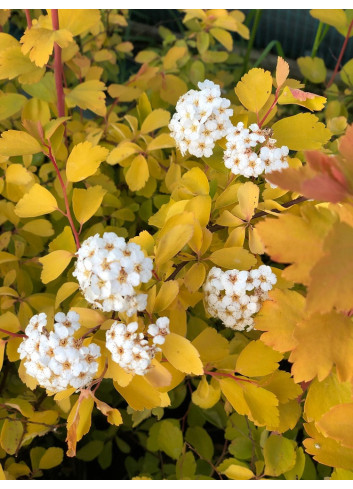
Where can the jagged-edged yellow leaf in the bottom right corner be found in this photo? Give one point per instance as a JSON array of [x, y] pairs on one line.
[[326, 450]]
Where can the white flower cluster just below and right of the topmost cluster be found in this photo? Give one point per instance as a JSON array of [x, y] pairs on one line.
[[252, 151]]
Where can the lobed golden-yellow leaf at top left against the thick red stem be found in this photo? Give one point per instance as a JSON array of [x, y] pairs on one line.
[[39, 42]]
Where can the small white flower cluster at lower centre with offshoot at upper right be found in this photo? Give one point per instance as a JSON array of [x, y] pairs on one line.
[[132, 350]]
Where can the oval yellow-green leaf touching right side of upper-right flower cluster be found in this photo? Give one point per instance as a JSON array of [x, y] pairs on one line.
[[301, 132]]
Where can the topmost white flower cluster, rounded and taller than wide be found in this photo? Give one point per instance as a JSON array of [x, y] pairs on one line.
[[201, 118]]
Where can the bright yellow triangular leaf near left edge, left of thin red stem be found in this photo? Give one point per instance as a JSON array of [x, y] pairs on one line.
[[36, 202]]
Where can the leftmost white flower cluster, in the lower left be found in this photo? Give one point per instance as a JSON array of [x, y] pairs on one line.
[[56, 359]]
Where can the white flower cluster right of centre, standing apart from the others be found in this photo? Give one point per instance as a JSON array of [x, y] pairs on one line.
[[235, 296]]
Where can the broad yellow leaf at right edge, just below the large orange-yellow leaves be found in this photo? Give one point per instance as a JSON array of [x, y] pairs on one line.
[[322, 396]]
